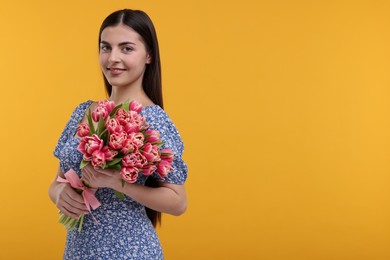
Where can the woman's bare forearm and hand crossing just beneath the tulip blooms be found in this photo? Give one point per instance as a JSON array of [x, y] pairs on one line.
[[168, 198]]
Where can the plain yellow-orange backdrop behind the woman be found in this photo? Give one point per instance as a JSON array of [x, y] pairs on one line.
[[283, 107]]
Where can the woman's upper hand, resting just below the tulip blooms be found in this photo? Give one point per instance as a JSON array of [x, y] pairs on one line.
[[98, 178]]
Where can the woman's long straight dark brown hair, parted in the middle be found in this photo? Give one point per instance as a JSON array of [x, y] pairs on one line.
[[140, 22]]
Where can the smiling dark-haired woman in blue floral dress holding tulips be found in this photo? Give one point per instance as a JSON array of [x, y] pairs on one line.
[[130, 62]]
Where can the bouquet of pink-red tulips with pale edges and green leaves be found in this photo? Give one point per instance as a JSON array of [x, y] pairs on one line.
[[119, 138]]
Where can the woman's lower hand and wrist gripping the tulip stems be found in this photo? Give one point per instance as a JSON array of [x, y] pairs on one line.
[[66, 199]]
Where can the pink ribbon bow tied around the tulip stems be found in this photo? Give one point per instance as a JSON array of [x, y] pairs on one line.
[[88, 194]]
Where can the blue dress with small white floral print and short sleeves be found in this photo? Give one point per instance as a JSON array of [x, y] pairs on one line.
[[123, 230]]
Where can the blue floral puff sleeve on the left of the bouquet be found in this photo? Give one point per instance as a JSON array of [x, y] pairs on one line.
[[69, 128]]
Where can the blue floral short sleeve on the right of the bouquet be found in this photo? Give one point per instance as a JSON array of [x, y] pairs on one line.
[[172, 140]]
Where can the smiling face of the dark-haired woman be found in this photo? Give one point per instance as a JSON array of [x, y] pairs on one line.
[[123, 56]]
